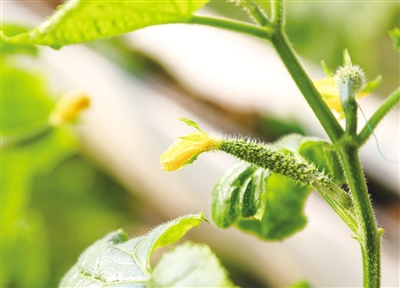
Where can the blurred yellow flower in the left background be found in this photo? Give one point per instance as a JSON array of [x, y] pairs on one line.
[[68, 108]]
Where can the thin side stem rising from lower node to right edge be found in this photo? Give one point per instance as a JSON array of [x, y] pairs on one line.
[[382, 111]]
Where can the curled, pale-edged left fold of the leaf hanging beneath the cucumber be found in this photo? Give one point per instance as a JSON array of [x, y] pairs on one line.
[[239, 193]]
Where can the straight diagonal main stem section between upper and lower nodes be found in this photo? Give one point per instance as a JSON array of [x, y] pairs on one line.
[[306, 86]]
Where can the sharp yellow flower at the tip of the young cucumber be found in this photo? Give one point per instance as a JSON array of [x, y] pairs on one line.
[[187, 148]]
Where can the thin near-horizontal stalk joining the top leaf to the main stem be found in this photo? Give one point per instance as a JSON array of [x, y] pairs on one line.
[[262, 32]]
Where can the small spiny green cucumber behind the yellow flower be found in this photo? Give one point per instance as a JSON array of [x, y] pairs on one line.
[[274, 160]]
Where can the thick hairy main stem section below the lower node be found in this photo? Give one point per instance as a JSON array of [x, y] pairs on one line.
[[368, 234]]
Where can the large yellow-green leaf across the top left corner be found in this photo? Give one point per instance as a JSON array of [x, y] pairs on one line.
[[86, 20]]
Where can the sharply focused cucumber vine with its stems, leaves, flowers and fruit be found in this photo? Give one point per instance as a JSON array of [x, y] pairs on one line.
[[252, 195]]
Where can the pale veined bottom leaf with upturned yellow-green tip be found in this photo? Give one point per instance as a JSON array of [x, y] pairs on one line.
[[115, 260]]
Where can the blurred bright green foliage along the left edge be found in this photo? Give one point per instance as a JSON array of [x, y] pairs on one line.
[[54, 204]]
